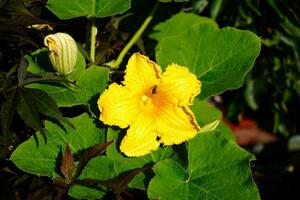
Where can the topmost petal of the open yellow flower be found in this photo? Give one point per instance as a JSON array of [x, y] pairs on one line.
[[141, 73]]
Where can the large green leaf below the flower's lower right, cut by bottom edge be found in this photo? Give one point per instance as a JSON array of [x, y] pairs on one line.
[[217, 169]]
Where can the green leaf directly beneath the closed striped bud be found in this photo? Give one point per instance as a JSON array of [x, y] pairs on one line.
[[88, 82]]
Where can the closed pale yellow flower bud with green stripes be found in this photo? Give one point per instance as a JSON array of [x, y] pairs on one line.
[[62, 52]]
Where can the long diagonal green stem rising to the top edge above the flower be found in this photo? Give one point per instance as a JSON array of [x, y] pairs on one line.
[[136, 36]]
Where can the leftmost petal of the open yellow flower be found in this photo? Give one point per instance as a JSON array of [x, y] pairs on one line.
[[118, 106]]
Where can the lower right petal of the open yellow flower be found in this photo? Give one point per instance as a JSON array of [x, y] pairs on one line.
[[176, 124]]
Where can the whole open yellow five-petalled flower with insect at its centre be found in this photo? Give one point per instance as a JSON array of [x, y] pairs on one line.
[[154, 105]]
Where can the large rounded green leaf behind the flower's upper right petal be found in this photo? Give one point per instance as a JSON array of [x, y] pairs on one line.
[[219, 57]]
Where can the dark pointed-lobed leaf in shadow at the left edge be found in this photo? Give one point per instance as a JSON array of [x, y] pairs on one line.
[[28, 103]]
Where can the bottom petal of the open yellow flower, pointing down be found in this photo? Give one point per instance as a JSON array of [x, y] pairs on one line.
[[140, 138]]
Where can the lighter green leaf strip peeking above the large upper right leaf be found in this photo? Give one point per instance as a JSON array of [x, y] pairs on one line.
[[177, 24]]
